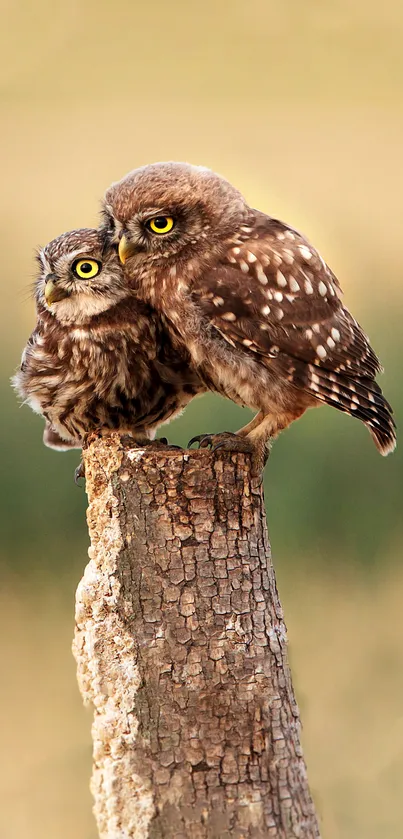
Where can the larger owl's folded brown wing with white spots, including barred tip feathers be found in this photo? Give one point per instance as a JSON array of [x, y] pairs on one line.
[[272, 295]]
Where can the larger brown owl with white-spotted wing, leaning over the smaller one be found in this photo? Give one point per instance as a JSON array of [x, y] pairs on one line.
[[251, 300]]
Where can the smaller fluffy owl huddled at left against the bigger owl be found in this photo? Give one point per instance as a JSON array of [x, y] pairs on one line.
[[98, 358]]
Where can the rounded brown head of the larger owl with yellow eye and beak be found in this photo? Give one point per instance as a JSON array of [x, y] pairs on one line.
[[159, 211]]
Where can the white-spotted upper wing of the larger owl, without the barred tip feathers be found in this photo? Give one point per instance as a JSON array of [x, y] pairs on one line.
[[273, 293]]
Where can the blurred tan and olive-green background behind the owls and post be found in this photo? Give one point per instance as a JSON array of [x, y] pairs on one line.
[[300, 105]]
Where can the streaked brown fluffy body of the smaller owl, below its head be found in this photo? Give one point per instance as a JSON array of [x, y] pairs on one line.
[[116, 372]]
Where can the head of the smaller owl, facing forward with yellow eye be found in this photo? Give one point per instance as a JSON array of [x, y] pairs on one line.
[[79, 277]]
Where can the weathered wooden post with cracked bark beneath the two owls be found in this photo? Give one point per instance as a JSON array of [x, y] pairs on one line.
[[181, 649]]
